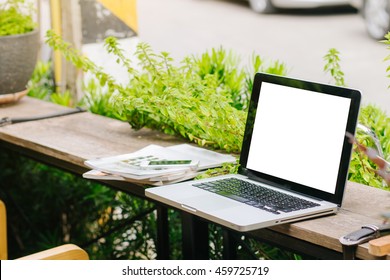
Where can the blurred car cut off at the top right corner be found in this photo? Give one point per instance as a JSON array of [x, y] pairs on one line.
[[376, 15]]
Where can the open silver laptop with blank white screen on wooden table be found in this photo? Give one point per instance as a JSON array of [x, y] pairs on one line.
[[293, 163]]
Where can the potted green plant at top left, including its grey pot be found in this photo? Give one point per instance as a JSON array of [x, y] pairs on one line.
[[19, 43]]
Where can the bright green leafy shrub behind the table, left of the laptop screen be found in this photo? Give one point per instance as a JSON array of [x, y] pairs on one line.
[[201, 99]]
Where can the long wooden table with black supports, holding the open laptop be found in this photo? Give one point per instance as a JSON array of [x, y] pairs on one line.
[[67, 141]]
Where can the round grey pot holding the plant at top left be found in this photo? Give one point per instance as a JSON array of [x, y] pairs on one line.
[[18, 57]]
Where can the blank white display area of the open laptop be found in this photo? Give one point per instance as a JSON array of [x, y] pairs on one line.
[[298, 136]]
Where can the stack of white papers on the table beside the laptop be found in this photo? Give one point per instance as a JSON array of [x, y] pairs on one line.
[[127, 167]]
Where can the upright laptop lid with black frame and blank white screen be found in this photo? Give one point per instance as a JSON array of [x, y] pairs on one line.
[[295, 135]]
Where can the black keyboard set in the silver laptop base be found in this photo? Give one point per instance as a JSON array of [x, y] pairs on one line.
[[256, 196]]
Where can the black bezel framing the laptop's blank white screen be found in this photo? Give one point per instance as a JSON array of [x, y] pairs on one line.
[[355, 98]]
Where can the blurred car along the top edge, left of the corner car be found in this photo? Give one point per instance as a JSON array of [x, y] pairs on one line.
[[269, 6]]
